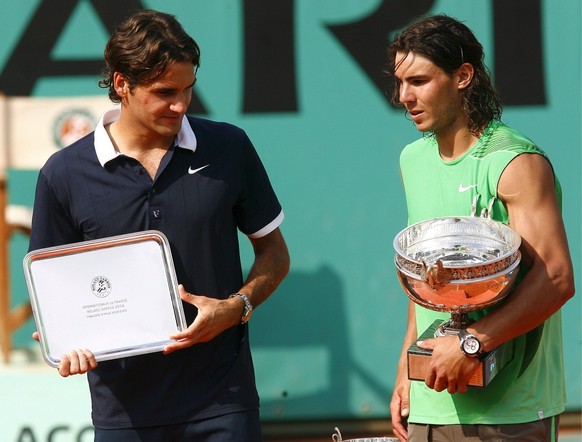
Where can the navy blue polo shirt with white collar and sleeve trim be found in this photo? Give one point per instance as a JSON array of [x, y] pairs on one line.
[[209, 185]]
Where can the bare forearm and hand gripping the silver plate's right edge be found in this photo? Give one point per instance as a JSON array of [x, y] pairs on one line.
[[271, 265]]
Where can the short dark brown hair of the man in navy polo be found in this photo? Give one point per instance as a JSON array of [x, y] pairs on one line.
[[142, 48]]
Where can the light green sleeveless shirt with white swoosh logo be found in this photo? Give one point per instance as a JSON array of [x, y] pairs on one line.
[[531, 386]]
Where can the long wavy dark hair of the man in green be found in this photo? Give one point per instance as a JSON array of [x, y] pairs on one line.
[[448, 43]]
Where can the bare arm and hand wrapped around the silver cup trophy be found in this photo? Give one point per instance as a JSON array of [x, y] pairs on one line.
[[527, 189]]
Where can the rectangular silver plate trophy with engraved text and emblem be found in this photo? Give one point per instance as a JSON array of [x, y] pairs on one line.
[[117, 296]]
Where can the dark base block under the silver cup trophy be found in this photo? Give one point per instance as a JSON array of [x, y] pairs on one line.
[[494, 361]]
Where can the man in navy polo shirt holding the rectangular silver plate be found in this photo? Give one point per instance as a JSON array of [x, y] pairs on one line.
[[149, 166]]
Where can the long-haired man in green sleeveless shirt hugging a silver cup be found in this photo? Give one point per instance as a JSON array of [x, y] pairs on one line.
[[466, 154]]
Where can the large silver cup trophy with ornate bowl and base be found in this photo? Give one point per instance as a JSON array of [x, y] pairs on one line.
[[457, 265]]
